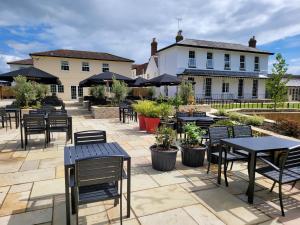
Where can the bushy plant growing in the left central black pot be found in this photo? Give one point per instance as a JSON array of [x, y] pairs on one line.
[[165, 137]]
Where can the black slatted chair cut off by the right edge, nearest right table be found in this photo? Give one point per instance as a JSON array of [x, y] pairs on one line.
[[287, 171]]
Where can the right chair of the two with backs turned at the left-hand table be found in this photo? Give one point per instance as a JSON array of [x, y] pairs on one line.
[[58, 123]]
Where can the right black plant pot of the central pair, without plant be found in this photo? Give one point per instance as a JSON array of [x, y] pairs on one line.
[[193, 157]]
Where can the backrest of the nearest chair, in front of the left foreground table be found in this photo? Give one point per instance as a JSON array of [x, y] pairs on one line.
[[99, 170]]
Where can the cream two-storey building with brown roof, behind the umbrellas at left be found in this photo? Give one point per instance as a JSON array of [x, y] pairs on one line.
[[72, 66]]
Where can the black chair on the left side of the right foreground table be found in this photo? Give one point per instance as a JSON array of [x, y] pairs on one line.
[[215, 135]]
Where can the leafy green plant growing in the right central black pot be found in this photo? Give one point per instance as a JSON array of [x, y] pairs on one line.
[[193, 135]]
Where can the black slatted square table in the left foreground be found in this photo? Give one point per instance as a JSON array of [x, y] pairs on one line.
[[72, 153]]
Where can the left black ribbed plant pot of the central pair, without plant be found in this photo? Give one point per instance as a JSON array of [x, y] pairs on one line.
[[163, 160]]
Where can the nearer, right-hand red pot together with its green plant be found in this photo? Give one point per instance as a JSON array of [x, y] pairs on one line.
[[152, 119]]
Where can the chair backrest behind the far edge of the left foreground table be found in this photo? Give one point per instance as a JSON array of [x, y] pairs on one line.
[[90, 137]]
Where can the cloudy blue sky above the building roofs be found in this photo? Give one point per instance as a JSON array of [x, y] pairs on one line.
[[126, 27]]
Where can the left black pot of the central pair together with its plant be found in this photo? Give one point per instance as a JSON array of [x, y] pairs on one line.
[[163, 153]]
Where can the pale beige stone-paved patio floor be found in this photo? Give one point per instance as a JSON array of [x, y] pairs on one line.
[[32, 186]]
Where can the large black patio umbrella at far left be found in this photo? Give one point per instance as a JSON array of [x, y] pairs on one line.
[[31, 73]]
